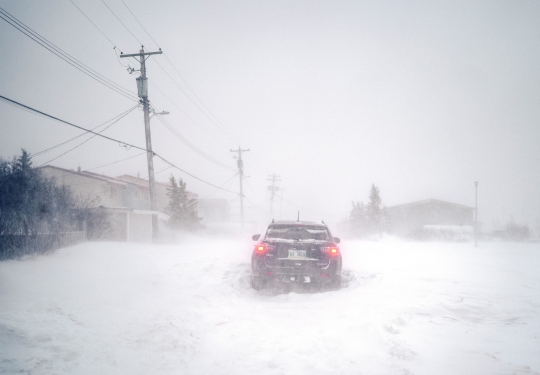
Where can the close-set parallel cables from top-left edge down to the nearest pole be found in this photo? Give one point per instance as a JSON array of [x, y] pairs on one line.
[[51, 47]]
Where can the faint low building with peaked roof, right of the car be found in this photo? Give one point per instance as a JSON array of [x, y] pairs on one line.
[[411, 218]]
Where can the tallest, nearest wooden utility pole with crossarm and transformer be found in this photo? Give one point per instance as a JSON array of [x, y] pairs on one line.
[[142, 88]]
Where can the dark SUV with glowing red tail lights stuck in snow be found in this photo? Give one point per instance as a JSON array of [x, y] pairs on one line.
[[296, 252]]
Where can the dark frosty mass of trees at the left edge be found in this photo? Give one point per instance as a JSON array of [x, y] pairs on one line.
[[35, 213]]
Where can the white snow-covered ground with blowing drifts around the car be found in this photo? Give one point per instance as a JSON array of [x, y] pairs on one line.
[[404, 308]]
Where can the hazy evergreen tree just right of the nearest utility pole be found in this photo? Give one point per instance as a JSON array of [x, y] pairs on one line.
[[183, 211]]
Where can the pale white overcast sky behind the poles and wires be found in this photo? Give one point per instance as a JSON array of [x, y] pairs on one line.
[[419, 98]]
